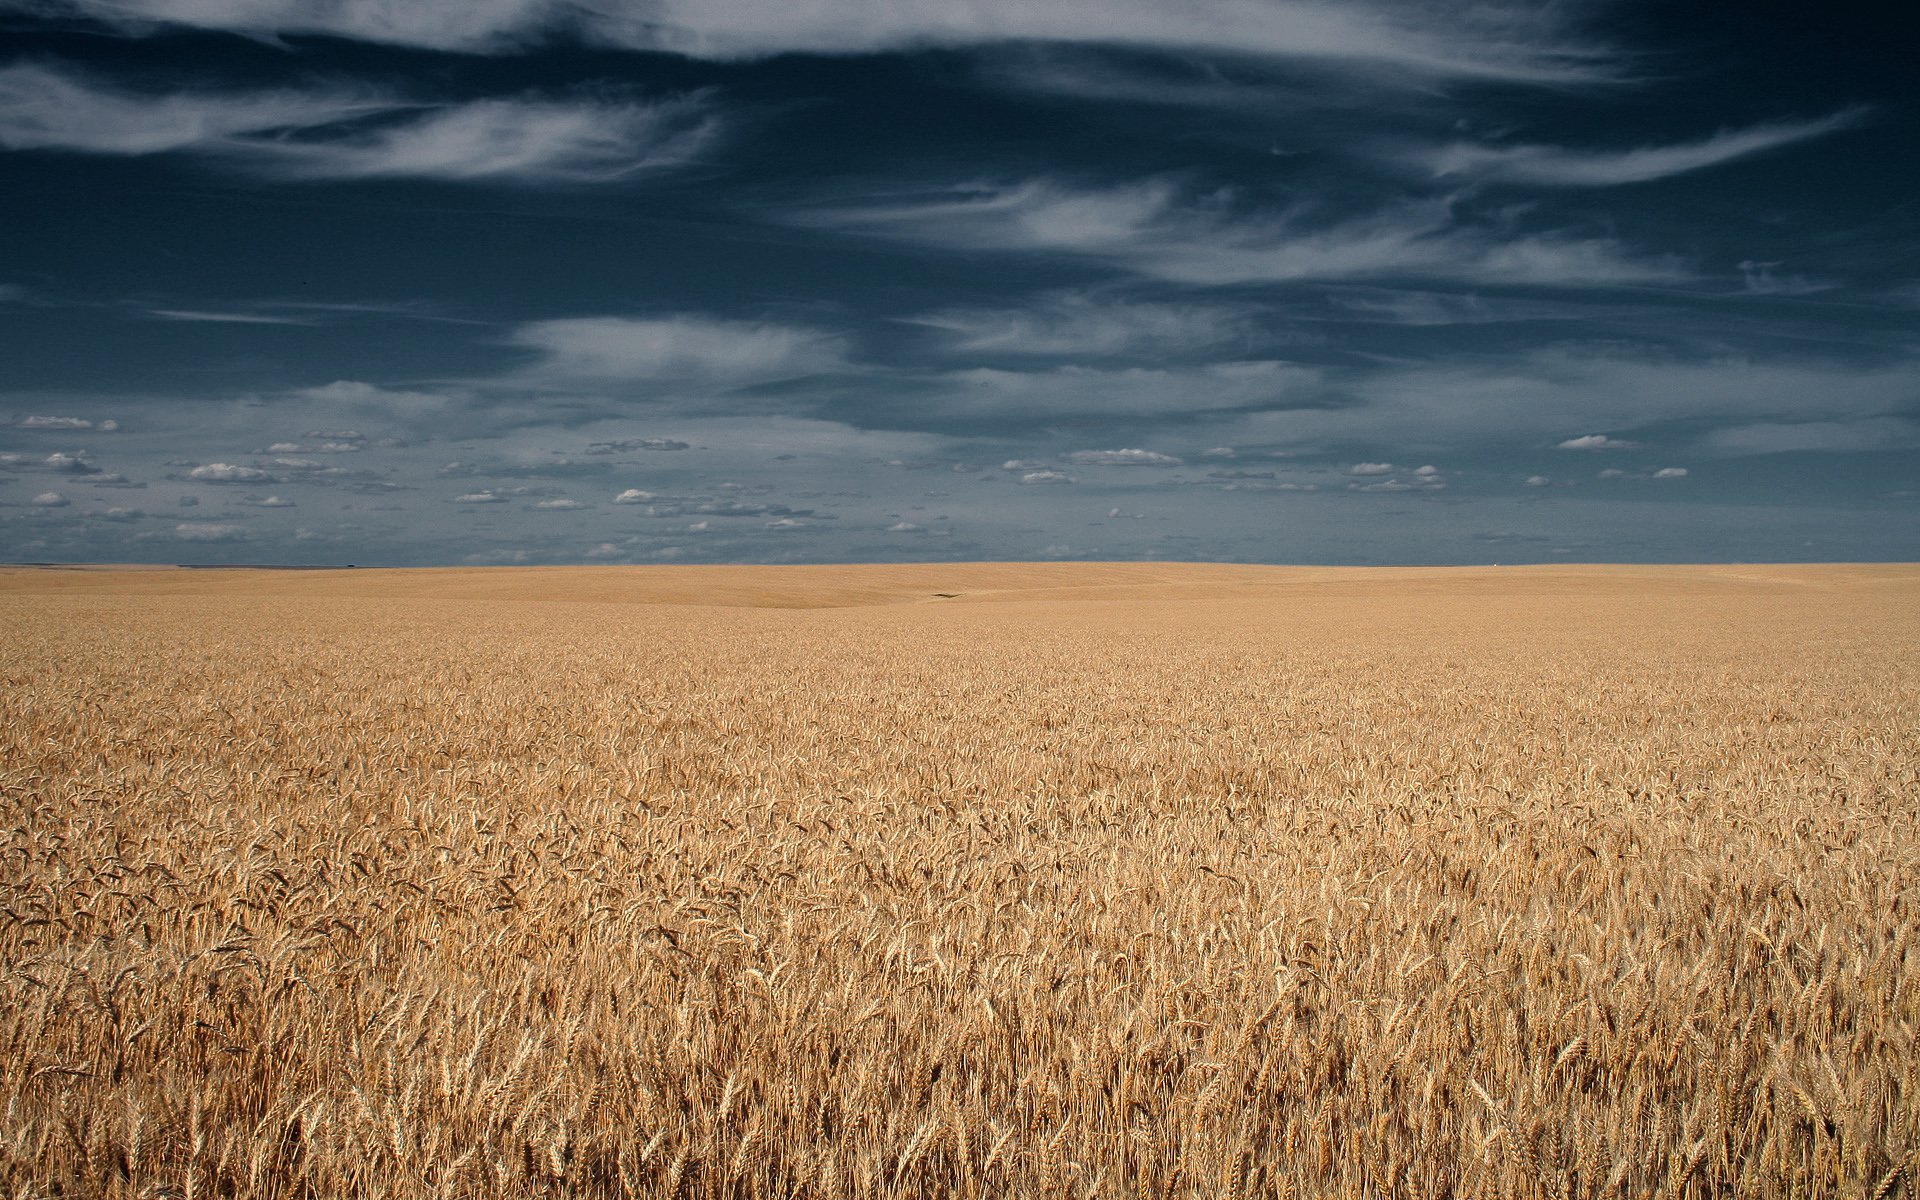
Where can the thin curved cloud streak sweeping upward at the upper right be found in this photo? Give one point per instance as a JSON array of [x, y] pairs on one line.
[[1556, 168]]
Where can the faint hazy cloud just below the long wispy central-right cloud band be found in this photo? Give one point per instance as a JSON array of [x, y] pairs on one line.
[[1076, 325]]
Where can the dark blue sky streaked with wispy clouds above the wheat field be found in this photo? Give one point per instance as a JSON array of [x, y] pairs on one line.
[[809, 281]]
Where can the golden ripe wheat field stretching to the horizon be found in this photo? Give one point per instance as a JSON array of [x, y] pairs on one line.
[[961, 880]]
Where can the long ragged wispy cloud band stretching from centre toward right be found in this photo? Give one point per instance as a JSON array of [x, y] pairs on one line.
[[1163, 231]]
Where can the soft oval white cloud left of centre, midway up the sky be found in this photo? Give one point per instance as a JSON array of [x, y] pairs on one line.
[[683, 348]]
